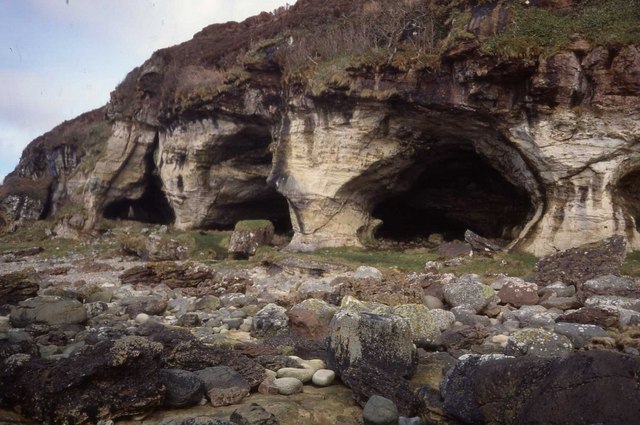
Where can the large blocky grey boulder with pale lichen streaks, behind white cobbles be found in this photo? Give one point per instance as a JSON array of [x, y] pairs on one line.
[[378, 340]]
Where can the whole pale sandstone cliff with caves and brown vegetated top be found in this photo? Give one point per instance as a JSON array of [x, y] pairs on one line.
[[347, 120]]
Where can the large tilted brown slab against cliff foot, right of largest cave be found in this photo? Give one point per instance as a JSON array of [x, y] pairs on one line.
[[577, 265]]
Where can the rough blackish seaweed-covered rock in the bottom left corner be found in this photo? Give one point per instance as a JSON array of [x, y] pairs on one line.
[[106, 380]]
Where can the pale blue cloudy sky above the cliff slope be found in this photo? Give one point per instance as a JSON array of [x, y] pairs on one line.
[[60, 58]]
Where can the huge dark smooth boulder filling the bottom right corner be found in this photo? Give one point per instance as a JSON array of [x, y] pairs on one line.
[[585, 387]]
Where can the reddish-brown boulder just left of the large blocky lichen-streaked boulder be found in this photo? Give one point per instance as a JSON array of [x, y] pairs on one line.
[[311, 318]]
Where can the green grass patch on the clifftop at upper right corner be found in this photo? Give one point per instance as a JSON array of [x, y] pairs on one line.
[[537, 31]]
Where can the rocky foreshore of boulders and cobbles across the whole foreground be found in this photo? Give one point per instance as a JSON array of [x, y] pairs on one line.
[[120, 341]]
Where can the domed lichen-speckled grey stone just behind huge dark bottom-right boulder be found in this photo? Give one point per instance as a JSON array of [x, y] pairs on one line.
[[538, 342]]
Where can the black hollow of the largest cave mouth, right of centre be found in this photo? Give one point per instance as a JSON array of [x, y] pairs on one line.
[[454, 190]]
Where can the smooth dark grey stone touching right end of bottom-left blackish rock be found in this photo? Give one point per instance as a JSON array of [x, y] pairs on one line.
[[184, 388]]
